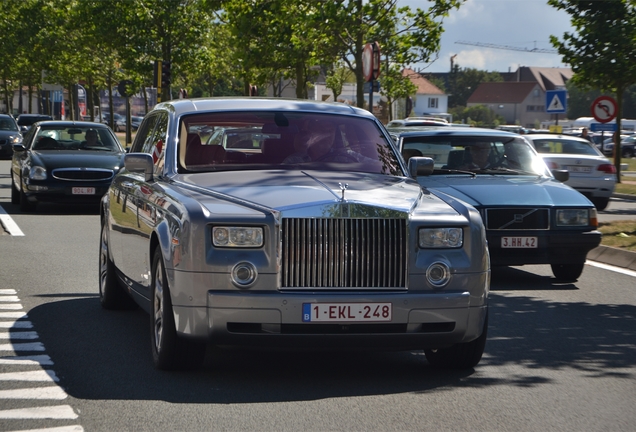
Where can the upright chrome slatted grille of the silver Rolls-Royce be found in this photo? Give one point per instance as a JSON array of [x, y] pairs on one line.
[[344, 253]]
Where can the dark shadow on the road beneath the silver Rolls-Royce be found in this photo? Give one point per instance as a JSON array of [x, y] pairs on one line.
[[102, 354]]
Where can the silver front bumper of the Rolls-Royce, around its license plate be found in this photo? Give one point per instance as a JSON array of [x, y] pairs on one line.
[[273, 318]]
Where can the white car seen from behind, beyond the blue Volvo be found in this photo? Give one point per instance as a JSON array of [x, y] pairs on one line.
[[590, 172]]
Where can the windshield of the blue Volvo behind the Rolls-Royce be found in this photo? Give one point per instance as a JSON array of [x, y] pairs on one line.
[[476, 154]]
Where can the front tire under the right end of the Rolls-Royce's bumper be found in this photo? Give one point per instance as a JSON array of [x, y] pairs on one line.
[[460, 356]]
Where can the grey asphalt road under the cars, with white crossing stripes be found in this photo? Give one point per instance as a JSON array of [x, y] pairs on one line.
[[558, 357]]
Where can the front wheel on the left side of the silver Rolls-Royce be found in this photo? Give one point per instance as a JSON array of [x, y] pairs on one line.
[[169, 351]]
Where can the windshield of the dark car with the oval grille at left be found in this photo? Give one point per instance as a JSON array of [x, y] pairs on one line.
[[75, 138]]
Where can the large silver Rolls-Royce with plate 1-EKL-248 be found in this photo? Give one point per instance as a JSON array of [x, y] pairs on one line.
[[292, 245]]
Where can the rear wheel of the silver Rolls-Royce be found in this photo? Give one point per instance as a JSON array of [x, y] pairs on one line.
[[112, 295]]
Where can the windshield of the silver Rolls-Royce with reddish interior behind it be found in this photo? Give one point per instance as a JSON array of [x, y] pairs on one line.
[[288, 141]]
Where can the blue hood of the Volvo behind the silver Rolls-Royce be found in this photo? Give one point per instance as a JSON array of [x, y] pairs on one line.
[[488, 191]]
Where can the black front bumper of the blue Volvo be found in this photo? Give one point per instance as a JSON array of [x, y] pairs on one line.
[[560, 247]]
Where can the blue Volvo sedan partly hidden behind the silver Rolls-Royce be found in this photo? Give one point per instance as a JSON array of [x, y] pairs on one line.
[[530, 217]]
